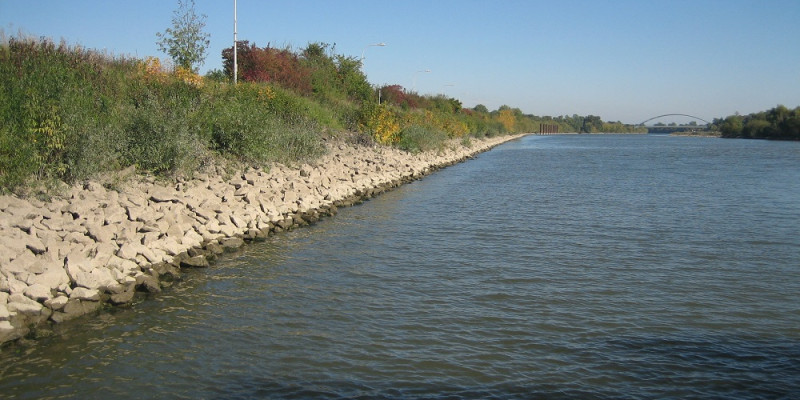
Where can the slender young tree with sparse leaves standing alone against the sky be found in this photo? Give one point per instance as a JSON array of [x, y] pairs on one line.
[[185, 42]]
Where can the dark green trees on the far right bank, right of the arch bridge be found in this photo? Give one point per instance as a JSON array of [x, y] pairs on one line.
[[777, 123]]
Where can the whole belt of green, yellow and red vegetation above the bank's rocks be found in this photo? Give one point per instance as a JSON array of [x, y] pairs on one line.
[[68, 113]]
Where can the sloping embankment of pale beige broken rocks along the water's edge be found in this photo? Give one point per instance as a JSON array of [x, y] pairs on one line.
[[68, 257]]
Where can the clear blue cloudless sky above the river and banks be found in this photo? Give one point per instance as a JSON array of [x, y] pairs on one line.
[[625, 60]]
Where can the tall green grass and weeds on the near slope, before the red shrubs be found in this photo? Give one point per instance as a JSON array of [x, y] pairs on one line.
[[67, 113]]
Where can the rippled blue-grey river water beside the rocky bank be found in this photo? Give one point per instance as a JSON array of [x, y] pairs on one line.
[[550, 267]]
